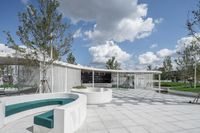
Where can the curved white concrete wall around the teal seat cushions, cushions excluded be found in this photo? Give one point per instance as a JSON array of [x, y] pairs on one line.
[[73, 113]]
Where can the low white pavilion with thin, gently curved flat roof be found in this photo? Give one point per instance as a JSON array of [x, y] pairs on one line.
[[62, 77]]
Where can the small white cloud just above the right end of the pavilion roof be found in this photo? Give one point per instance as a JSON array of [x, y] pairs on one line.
[[148, 58]]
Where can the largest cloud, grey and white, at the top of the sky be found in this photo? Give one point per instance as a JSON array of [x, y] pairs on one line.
[[117, 20]]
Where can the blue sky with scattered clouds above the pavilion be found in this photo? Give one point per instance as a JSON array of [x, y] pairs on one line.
[[167, 27]]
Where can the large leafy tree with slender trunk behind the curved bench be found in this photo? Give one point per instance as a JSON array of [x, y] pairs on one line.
[[41, 31]]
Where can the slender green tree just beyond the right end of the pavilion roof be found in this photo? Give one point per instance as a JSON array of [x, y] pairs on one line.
[[167, 68]]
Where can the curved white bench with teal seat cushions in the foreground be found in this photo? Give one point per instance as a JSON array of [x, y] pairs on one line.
[[66, 118]]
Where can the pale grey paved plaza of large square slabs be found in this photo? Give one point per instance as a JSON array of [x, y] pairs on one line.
[[133, 111]]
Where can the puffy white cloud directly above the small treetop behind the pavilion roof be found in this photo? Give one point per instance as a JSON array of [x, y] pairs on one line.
[[103, 52]]
